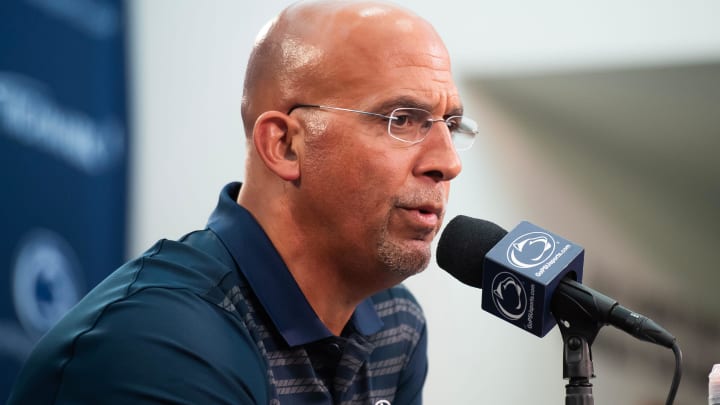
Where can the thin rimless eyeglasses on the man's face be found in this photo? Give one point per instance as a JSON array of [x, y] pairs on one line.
[[411, 125]]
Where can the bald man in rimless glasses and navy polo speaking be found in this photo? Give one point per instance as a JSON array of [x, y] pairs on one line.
[[291, 294]]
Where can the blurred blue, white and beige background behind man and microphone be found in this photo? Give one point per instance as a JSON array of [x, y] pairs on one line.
[[120, 123]]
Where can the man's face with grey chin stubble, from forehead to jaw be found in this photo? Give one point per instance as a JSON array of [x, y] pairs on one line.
[[378, 201]]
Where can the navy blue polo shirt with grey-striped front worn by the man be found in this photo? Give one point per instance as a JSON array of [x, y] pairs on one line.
[[217, 318]]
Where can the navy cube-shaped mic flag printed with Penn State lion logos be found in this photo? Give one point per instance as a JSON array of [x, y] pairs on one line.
[[522, 271]]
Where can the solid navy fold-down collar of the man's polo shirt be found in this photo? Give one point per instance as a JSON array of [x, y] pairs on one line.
[[269, 277]]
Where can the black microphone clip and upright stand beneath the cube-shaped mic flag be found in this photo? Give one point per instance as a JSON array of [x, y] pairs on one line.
[[579, 328]]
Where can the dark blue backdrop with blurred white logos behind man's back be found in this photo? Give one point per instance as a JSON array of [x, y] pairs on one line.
[[63, 162]]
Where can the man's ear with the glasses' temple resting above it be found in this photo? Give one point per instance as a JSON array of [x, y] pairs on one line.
[[276, 142]]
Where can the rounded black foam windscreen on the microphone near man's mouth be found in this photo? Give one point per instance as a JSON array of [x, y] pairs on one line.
[[463, 246]]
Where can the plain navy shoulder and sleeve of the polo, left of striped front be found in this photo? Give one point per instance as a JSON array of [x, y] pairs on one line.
[[155, 322]]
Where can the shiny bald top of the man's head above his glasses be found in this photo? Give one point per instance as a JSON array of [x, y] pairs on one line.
[[328, 50]]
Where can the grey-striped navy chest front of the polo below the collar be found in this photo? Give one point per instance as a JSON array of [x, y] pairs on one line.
[[369, 368]]
